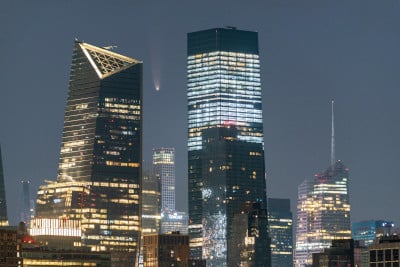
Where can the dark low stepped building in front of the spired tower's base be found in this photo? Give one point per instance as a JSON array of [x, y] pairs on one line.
[[340, 254]]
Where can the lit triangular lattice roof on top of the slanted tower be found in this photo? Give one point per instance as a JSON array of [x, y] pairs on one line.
[[104, 61]]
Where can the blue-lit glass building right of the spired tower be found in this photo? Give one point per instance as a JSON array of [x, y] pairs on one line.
[[368, 231]]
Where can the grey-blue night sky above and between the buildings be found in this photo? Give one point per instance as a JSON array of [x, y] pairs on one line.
[[311, 52]]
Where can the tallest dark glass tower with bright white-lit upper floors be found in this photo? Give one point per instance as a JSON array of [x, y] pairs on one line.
[[225, 142]]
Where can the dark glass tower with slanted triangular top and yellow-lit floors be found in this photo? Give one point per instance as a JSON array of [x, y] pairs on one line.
[[99, 177]]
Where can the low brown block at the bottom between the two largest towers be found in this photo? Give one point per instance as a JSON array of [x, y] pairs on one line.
[[161, 250]]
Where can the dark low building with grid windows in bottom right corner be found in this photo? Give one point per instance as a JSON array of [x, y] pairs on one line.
[[385, 252]]
